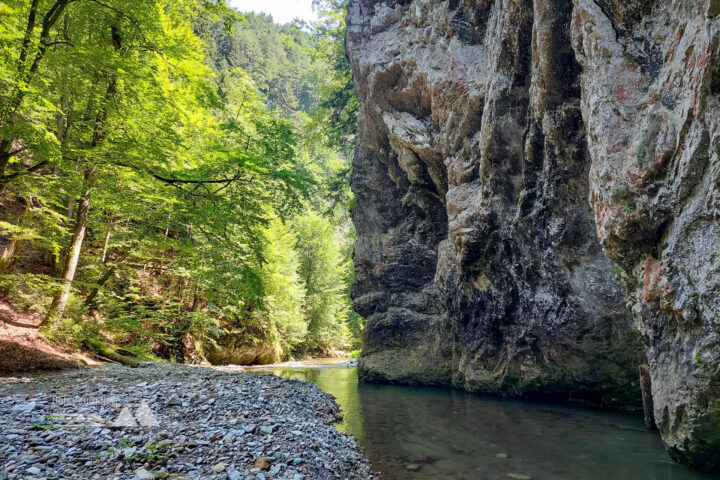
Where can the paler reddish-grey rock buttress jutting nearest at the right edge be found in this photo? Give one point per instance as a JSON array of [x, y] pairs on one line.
[[651, 80]]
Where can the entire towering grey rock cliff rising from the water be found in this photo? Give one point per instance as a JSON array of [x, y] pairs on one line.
[[507, 149]]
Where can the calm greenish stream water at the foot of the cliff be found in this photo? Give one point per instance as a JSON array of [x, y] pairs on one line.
[[428, 433]]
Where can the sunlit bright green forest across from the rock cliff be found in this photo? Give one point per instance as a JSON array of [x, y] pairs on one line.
[[174, 178]]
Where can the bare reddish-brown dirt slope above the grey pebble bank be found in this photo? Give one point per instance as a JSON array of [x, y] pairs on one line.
[[23, 349]]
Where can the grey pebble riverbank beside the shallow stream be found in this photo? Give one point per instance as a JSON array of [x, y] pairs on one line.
[[171, 421]]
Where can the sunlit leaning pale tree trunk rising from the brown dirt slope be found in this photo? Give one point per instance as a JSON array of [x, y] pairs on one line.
[[57, 307]]
